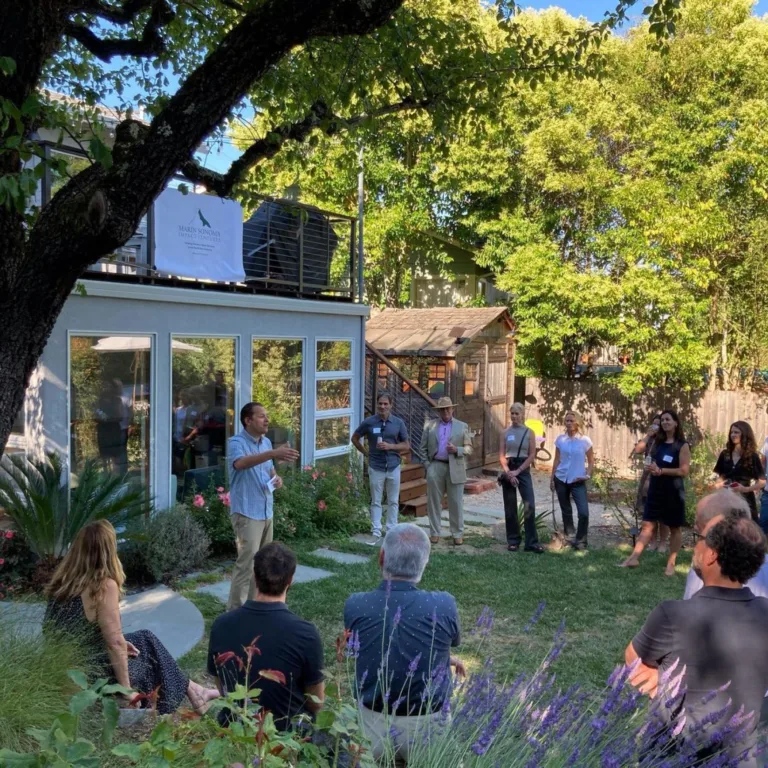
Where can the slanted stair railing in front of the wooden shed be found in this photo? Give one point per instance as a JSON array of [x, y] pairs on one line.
[[409, 402]]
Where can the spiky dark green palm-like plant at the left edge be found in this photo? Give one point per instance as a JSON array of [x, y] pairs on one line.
[[43, 509]]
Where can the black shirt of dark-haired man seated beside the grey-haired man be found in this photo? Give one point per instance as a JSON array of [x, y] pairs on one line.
[[287, 643]]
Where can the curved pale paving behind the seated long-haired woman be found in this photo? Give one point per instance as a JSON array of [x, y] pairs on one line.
[[175, 620]]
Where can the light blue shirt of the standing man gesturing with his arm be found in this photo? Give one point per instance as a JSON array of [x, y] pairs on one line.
[[248, 491]]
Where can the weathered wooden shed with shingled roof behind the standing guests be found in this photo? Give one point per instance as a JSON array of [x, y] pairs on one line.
[[466, 354]]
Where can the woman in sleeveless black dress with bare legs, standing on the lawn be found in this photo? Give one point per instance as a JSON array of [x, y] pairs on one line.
[[665, 504]]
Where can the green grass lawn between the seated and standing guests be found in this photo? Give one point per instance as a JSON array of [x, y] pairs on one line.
[[603, 605]]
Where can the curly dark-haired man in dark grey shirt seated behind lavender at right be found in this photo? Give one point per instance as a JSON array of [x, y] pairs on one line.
[[720, 637]]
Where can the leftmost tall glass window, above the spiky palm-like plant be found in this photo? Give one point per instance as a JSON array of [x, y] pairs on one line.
[[110, 400]]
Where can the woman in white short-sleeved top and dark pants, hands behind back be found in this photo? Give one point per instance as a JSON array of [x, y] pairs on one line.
[[573, 466]]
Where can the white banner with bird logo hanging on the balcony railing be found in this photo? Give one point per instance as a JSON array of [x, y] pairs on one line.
[[199, 236]]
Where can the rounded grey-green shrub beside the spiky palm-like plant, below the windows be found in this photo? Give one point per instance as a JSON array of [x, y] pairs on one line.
[[170, 545]]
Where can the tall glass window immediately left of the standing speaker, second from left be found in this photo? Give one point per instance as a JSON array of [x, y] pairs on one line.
[[203, 409]]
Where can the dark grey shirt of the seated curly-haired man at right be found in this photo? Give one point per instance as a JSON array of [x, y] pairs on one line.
[[720, 635]]
